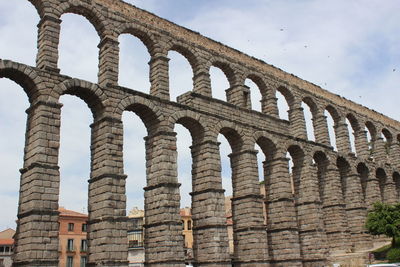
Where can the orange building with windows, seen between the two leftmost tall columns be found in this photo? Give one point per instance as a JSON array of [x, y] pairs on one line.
[[72, 235]]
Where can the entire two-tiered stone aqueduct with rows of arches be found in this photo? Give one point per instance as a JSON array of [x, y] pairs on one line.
[[332, 190]]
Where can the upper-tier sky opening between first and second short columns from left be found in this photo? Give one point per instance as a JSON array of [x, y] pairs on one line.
[[79, 61]]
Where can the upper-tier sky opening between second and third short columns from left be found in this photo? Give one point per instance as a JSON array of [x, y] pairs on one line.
[[133, 63]]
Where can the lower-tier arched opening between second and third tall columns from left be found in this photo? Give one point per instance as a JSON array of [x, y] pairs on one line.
[[136, 127]]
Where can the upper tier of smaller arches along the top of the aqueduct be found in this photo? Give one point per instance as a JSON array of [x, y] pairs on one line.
[[375, 137]]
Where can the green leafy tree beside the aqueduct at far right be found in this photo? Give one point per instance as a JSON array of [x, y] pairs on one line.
[[384, 219]]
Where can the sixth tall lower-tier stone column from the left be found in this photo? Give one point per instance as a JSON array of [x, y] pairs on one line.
[[283, 232]]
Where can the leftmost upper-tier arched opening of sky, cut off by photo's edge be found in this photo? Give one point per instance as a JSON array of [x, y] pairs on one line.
[[18, 36]]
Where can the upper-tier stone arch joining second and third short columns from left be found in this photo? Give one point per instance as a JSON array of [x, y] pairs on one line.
[[139, 32]]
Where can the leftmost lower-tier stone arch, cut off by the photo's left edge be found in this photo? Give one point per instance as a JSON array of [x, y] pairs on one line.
[[24, 76]]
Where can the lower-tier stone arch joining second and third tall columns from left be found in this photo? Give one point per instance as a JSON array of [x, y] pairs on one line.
[[149, 113]]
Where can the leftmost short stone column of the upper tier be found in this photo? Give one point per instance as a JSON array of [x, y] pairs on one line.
[[48, 39]]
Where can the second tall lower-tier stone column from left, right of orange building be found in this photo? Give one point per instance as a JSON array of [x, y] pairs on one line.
[[107, 225]]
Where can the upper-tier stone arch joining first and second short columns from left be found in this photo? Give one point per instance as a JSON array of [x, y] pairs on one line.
[[89, 11]]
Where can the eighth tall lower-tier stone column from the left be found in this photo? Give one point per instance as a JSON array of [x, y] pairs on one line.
[[334, 211]]
